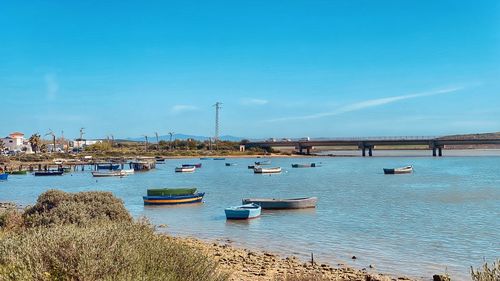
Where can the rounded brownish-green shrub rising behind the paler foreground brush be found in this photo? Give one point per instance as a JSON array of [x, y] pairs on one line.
[[56, 207]]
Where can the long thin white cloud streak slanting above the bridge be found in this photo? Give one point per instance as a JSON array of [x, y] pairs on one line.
[[369, 104]]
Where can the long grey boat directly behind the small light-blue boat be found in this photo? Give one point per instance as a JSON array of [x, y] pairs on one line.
[[272, 203]]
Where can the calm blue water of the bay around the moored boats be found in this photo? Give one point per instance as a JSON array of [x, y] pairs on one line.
[[445, 216]]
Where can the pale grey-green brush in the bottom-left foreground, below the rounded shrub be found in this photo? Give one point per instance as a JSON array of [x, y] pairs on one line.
[[102, 250]]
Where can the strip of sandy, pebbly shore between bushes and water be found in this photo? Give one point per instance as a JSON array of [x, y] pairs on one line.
[[244, 264]]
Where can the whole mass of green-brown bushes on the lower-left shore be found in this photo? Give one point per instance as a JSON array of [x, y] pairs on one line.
[[91, 236]]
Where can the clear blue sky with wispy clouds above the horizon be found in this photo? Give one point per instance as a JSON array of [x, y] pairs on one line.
[[281, 68]]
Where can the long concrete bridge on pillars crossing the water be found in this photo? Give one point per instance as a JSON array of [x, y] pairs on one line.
[[436, 144]]
